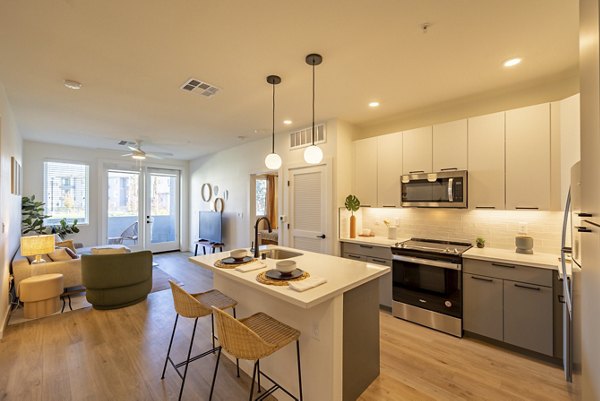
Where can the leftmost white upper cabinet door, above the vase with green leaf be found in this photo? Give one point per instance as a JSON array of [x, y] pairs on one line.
[[365, 171]]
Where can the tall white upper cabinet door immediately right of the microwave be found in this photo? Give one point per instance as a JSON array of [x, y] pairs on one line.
[[486, 161]]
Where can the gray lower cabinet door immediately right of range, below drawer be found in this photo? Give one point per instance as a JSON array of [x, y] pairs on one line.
[[483, 306]]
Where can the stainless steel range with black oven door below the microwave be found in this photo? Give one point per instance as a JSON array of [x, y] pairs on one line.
[[427, 283]]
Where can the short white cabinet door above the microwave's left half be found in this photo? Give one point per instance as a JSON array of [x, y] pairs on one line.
[[416, 150]]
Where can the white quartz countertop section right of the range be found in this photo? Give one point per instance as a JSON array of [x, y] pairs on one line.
[[541, 260]]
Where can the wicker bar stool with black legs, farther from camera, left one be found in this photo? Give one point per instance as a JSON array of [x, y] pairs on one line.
[[195, 306]]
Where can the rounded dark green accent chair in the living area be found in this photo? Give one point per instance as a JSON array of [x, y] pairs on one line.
[[117, 280]]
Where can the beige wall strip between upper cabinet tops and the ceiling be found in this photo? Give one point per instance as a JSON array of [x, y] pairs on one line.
[[544, 90]]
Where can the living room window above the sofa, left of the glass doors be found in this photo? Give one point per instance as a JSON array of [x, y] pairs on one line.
[[66, 192]]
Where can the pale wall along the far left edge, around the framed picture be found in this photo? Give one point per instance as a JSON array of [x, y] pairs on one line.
[[10, 205]]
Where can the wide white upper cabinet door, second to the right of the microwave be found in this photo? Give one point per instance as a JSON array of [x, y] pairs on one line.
[[528, 158]]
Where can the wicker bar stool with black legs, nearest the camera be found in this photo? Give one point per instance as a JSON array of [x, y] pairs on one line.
[[254, 338]]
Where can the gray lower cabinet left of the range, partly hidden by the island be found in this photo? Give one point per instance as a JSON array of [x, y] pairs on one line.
[[379, 255]]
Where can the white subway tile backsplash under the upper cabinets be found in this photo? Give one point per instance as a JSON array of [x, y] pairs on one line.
[[498, 227]]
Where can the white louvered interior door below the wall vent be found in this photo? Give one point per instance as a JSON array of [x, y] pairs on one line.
[[309, 209]]
